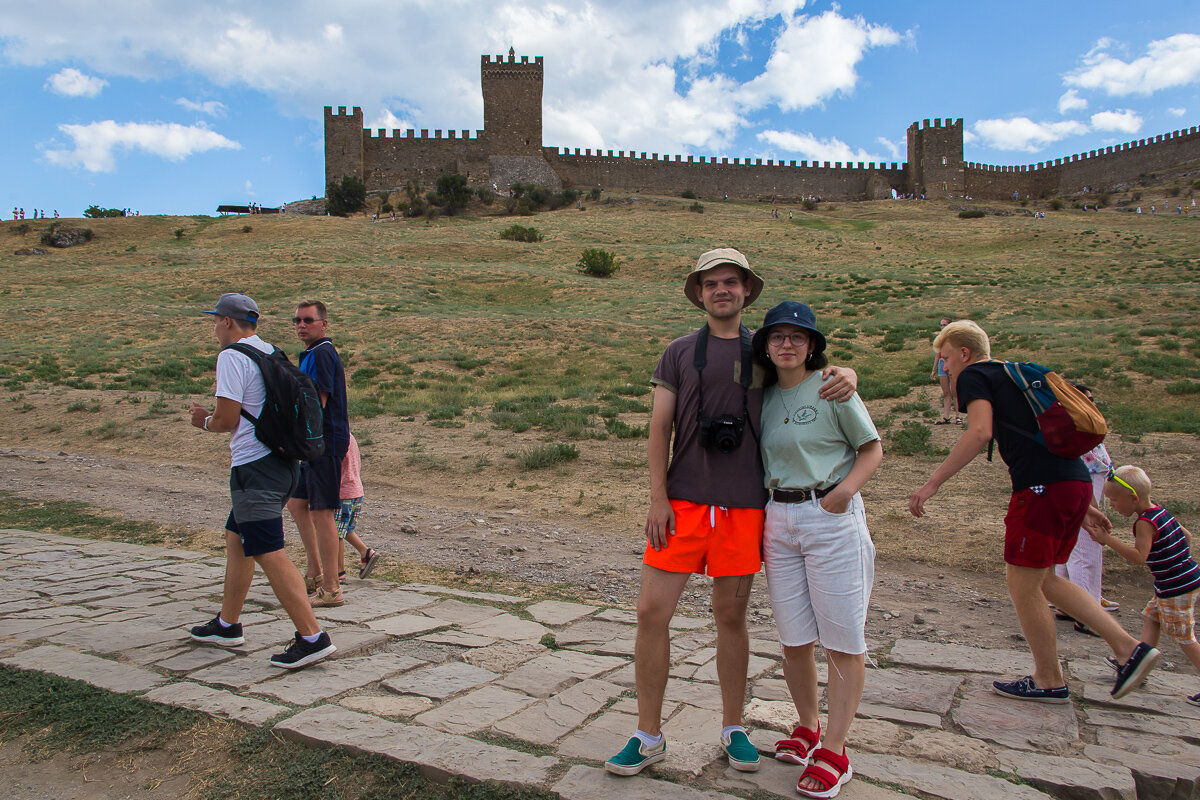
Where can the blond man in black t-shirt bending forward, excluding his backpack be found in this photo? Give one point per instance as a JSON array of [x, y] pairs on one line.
[[1052, 500]]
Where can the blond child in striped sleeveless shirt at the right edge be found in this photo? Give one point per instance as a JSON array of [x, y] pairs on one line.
[[1162, 544]]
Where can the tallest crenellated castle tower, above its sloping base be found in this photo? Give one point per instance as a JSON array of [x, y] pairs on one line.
[[512, 105]]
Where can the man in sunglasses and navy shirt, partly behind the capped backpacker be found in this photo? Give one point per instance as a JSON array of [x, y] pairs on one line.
[[317, 498]]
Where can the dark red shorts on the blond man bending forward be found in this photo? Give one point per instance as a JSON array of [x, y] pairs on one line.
[[1041, 528]]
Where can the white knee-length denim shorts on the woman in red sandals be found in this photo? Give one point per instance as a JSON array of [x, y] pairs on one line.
[[820, 572]]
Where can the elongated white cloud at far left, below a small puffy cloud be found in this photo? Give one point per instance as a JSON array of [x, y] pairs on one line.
[[95, 145]]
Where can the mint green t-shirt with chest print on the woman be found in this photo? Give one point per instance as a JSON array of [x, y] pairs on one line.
[[818, 446]]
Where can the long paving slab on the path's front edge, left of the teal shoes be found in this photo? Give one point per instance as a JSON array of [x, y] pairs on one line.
[[440, 756]]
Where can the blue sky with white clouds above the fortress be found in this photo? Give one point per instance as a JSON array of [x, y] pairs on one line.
[[171, 107]]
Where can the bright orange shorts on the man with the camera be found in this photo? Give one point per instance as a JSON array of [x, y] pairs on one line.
[[711, 540]]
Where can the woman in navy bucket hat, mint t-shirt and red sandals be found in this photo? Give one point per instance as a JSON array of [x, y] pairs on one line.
[[819, 555]]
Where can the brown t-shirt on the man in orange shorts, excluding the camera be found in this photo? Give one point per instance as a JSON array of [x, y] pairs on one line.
[[706, 476]]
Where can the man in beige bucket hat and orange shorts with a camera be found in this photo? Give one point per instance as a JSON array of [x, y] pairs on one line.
[[707, 501]]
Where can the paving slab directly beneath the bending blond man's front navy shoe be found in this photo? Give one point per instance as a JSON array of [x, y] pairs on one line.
[[1016, 724]]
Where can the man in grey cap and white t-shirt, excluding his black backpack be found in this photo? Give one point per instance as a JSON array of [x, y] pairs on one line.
[[260, 485]]
